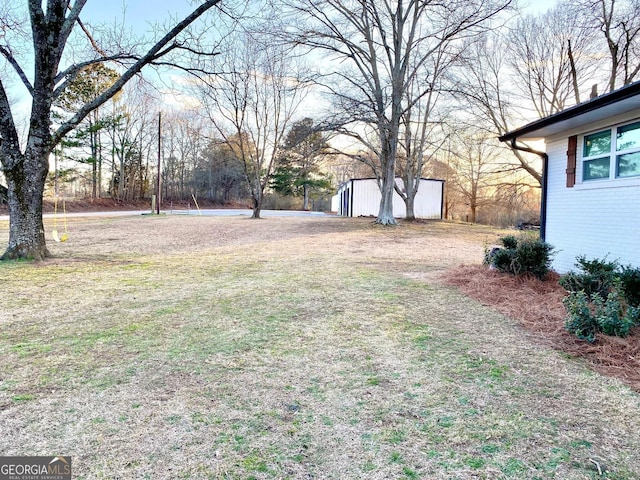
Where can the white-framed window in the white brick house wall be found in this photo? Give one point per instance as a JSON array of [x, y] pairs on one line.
[[611, 153]]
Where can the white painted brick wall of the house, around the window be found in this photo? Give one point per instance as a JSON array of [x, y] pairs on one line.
[[596, 219]]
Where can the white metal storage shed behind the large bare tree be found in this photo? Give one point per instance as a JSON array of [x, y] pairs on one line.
[[360, 197]]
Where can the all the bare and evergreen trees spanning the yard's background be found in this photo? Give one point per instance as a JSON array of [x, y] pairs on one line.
[[287, 92]]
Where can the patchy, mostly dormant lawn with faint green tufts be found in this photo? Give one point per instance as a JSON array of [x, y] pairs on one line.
[[289, 348]]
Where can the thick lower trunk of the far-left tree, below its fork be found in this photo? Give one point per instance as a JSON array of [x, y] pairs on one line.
[[26, 228]]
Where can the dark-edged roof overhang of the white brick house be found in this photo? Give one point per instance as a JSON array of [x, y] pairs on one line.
[[617, 102]]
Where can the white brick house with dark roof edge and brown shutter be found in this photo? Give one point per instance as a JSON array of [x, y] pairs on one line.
[[591, 181]]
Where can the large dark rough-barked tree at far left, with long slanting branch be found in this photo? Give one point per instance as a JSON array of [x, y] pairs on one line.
[[25, 165]]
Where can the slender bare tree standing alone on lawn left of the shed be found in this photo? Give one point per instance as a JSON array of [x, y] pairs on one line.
[[251, 103]]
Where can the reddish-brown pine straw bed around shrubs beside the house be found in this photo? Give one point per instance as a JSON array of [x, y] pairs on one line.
[[537, 305]]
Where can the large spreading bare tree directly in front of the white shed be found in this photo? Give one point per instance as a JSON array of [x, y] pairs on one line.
[[380, 47]]
